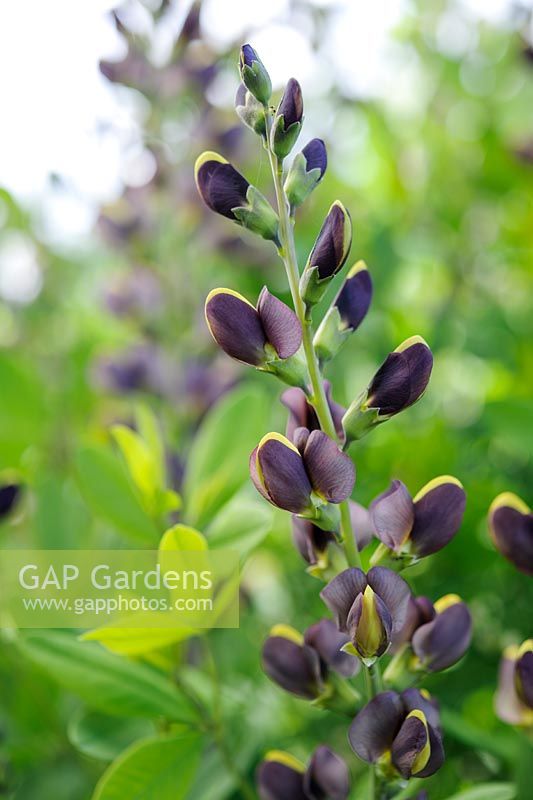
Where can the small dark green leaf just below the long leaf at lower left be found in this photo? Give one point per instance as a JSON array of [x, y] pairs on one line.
[[103, 737]]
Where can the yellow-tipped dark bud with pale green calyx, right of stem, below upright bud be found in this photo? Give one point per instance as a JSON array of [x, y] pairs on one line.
[[346, 314]]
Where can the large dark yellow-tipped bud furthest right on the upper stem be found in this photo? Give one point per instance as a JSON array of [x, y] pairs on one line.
[[402, 378]]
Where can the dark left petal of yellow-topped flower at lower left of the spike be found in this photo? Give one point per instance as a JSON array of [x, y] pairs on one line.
[[296, 668]]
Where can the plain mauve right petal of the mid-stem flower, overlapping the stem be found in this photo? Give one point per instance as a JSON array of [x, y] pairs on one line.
[[331, 471]]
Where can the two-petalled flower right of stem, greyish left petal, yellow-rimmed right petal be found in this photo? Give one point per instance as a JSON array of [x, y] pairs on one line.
[[410, 529]]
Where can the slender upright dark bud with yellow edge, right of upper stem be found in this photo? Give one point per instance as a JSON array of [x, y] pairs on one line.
[[328, 255]]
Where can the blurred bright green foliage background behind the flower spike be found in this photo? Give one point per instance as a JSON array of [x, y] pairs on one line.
[[442, 206]]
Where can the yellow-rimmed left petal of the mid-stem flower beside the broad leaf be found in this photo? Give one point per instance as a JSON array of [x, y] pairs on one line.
[[284, 475]]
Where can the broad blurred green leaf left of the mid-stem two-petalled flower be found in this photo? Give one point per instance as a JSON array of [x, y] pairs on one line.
[[218, 461]]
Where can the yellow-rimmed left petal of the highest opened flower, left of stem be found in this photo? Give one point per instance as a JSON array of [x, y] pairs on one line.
[[236, 326]]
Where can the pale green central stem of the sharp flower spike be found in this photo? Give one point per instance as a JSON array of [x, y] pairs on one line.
[[287, 253]]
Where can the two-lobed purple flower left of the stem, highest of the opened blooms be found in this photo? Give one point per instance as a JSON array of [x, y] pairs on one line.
[[247, 333]]
